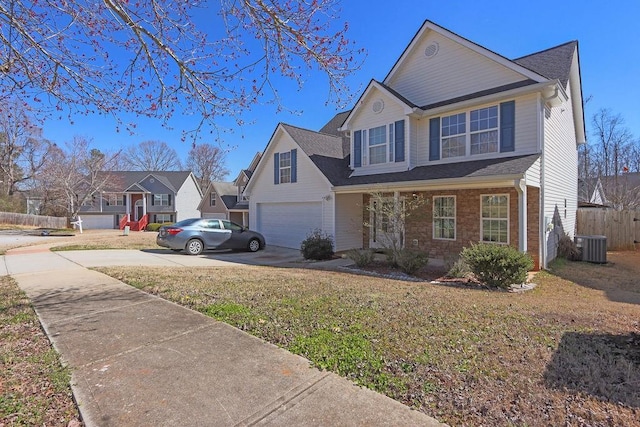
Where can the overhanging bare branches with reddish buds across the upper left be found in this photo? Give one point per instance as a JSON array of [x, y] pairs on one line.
[[149, 57]]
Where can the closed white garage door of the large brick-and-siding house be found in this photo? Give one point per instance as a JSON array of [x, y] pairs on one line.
[[288, 224]]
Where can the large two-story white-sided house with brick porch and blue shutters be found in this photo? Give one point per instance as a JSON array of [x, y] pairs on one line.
[[490, 143]]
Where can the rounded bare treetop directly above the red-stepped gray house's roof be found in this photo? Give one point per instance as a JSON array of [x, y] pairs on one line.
[[151, 156]]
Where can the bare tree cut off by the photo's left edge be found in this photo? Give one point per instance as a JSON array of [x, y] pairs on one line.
[[23, 150]]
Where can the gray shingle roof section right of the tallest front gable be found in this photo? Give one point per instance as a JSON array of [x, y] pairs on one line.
[[553, 63]]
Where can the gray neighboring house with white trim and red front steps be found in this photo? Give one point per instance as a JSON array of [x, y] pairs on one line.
[[137, 198]]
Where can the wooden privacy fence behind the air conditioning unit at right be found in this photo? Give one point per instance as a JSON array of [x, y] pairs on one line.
[[622, 228]]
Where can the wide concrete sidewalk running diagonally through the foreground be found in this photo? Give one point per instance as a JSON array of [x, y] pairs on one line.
[[139, 360]]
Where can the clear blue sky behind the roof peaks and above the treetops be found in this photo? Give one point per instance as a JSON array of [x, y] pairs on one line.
[[608, 35]]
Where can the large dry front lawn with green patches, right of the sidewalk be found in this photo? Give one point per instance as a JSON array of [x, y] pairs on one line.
[[562, 354]]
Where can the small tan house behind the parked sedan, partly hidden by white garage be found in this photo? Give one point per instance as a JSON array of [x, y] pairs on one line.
[[226, 200]]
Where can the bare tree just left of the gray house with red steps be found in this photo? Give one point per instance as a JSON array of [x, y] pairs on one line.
[[75, 176]]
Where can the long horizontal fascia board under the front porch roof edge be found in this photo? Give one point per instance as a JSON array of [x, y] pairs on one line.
[[440, 184]]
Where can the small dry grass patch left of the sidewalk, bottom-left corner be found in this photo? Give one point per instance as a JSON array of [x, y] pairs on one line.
[[34, 387]]
